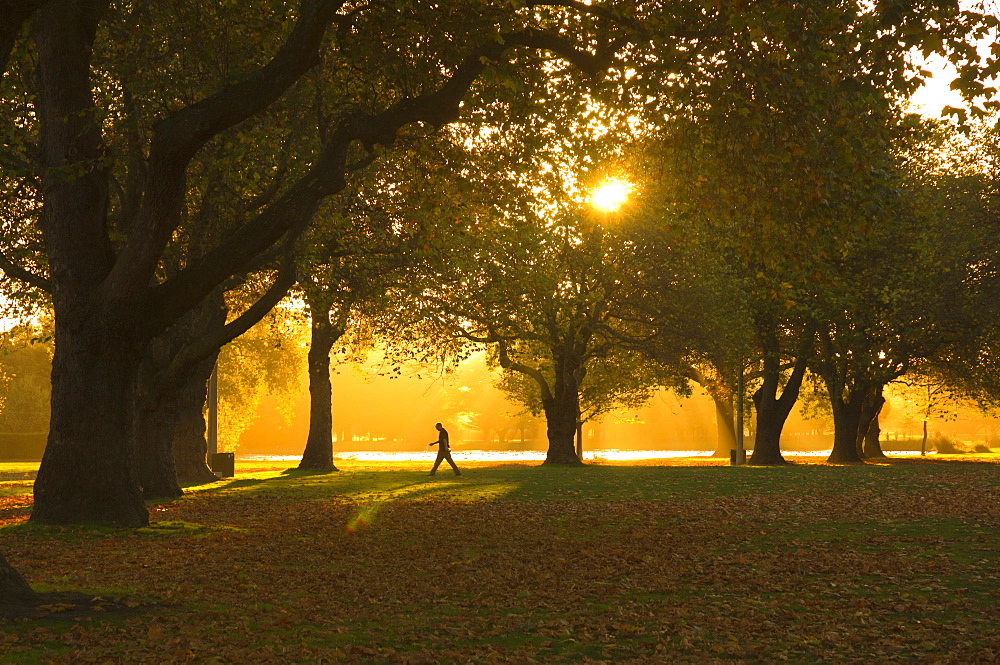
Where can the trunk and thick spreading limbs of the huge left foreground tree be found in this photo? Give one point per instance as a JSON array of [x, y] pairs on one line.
[[104, 244]]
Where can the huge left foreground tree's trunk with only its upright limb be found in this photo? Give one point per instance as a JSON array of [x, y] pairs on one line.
[[88, 472]]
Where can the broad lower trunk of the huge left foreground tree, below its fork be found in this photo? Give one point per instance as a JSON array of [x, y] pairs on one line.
[[88, 472]]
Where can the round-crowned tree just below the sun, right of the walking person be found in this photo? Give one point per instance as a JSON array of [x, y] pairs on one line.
[[545, 298]]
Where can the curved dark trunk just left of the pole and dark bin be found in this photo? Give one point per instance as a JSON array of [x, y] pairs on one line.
[[190, 444]]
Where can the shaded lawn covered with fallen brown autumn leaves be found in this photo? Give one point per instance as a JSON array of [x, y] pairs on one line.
[[673, 563]]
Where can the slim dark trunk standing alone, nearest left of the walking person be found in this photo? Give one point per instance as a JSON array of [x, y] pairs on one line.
[[318, 454]]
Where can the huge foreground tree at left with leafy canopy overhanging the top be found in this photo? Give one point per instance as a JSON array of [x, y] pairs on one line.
[[109, 216]]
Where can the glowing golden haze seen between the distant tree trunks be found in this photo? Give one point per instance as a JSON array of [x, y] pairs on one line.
[[373, 412]]
